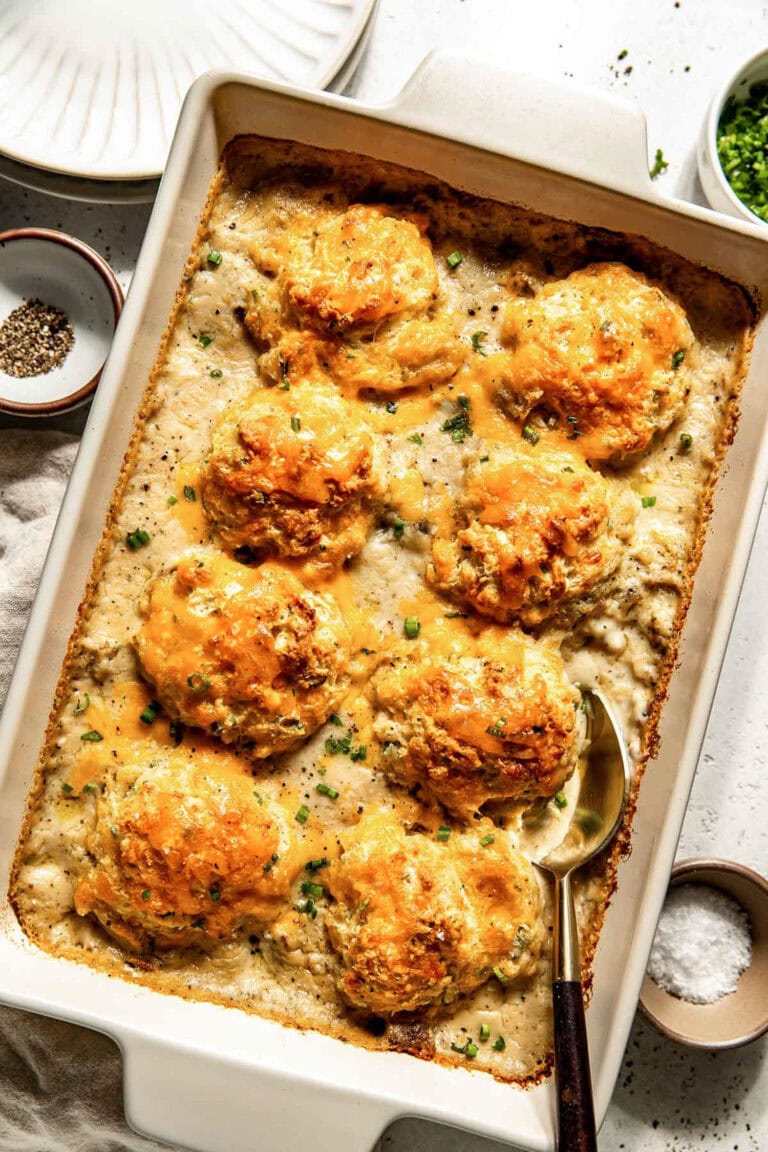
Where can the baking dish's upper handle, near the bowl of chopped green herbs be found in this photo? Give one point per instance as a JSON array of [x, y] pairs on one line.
[[579, 131]]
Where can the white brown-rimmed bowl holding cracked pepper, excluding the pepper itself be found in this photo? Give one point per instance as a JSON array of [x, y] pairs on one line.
[[62, 271]]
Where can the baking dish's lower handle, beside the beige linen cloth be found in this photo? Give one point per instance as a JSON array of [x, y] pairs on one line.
[[186, 1098]]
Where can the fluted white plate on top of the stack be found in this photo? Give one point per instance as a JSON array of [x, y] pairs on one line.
[[93, 88]]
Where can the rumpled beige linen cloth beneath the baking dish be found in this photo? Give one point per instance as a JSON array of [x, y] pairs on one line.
[[60, 1086]]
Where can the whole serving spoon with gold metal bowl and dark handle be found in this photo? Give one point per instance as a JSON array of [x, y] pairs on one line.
[[598, 815]]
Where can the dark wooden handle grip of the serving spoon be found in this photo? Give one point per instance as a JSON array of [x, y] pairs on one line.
[[576, 1131]]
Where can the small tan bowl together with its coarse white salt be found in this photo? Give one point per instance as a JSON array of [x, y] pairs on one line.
[[708, 979]]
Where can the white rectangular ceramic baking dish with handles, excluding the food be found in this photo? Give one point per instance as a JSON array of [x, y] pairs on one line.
[[215, 1079]]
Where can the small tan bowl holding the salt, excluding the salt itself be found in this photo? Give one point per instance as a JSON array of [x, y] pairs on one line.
[[742, 1015]]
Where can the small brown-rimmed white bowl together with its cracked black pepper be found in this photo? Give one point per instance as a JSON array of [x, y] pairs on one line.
[[59, 308]]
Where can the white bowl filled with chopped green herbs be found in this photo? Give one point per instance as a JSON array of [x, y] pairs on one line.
[[734, 145]]
